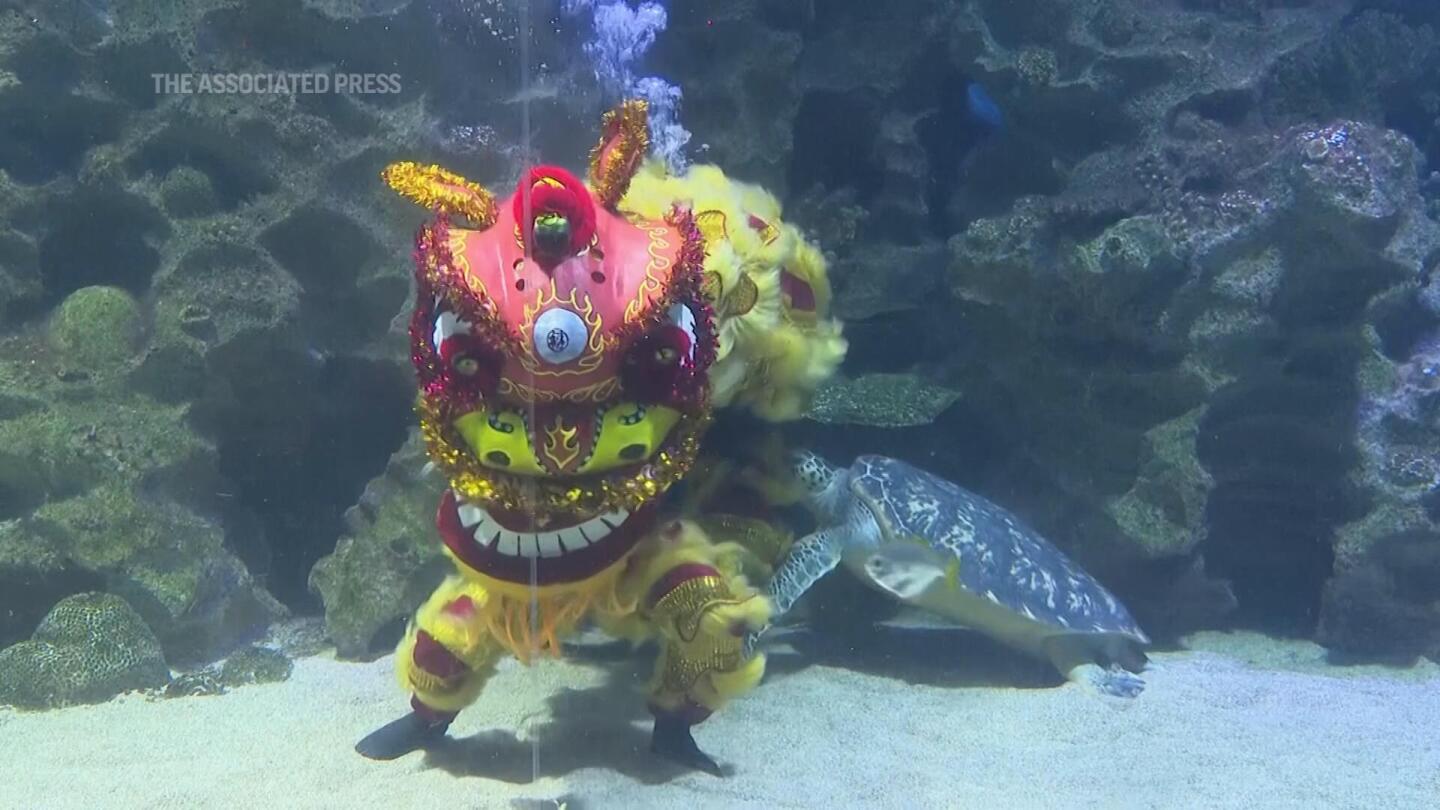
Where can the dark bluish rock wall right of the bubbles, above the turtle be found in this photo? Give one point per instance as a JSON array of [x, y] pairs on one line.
[[1190, 306]]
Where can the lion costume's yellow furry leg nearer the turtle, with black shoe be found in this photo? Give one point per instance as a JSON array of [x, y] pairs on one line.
[[701, 607]]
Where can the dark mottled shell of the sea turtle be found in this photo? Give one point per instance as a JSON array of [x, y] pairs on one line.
[[1000, 557]]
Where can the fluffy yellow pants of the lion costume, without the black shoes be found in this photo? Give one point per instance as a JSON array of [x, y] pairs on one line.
[[676, 587]]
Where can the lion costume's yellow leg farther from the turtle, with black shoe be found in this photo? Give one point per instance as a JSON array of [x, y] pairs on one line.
[[444, 661]]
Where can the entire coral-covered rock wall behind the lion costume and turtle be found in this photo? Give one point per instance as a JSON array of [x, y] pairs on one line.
[[1177, 311]]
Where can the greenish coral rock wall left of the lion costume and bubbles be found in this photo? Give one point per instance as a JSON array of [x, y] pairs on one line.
[[199, 364]]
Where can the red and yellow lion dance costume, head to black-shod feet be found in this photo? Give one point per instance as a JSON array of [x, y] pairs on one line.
[[572, 344]]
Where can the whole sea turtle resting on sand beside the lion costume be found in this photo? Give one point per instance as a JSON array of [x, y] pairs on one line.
[[948, 551]]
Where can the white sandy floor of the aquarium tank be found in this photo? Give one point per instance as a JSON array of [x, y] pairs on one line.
[[1236, 721]]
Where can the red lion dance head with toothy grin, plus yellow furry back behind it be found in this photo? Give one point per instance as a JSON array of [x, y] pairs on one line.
[[570, 342]]
